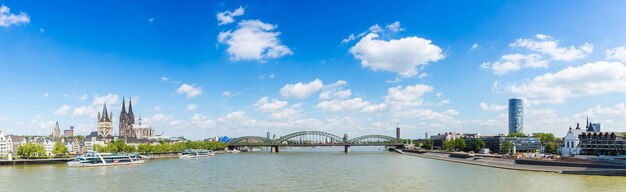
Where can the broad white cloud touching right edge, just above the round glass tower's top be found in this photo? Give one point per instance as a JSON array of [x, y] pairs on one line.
[[589, 79]]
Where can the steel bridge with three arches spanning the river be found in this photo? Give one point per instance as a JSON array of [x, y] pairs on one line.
[[311, 139]]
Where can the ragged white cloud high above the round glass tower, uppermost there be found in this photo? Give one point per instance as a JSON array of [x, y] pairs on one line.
[[542, 50]]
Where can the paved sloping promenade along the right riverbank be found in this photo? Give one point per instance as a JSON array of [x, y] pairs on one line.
[[512, 165]]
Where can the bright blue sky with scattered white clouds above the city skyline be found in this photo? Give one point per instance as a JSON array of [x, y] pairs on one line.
[[201, 69]]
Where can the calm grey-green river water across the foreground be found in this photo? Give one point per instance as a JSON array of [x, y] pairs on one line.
[[297, 169]]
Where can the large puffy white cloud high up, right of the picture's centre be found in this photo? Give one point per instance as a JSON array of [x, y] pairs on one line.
[[402, 56]]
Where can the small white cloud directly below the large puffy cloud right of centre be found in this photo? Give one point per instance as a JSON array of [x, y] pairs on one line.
[[409, 96]]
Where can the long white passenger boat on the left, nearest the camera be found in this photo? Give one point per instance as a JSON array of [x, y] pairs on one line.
[[95, 159]]
